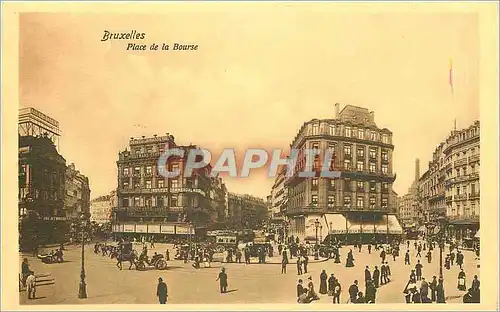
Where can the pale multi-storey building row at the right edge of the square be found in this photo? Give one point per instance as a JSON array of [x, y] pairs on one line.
[[449, 189]]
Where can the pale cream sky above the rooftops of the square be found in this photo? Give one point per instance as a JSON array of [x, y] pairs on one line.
[[255, 78]]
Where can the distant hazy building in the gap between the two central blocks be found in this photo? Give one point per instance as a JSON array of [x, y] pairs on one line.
[[246, 211]]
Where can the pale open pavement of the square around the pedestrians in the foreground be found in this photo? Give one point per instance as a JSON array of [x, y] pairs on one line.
[[255, 283]]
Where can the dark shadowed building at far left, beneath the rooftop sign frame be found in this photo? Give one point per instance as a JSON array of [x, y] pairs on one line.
[[42, 170]]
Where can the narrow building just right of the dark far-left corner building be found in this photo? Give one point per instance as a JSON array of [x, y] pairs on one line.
[[77, 193]]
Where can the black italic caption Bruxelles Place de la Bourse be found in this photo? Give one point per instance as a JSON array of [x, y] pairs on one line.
[[135, 35]]
